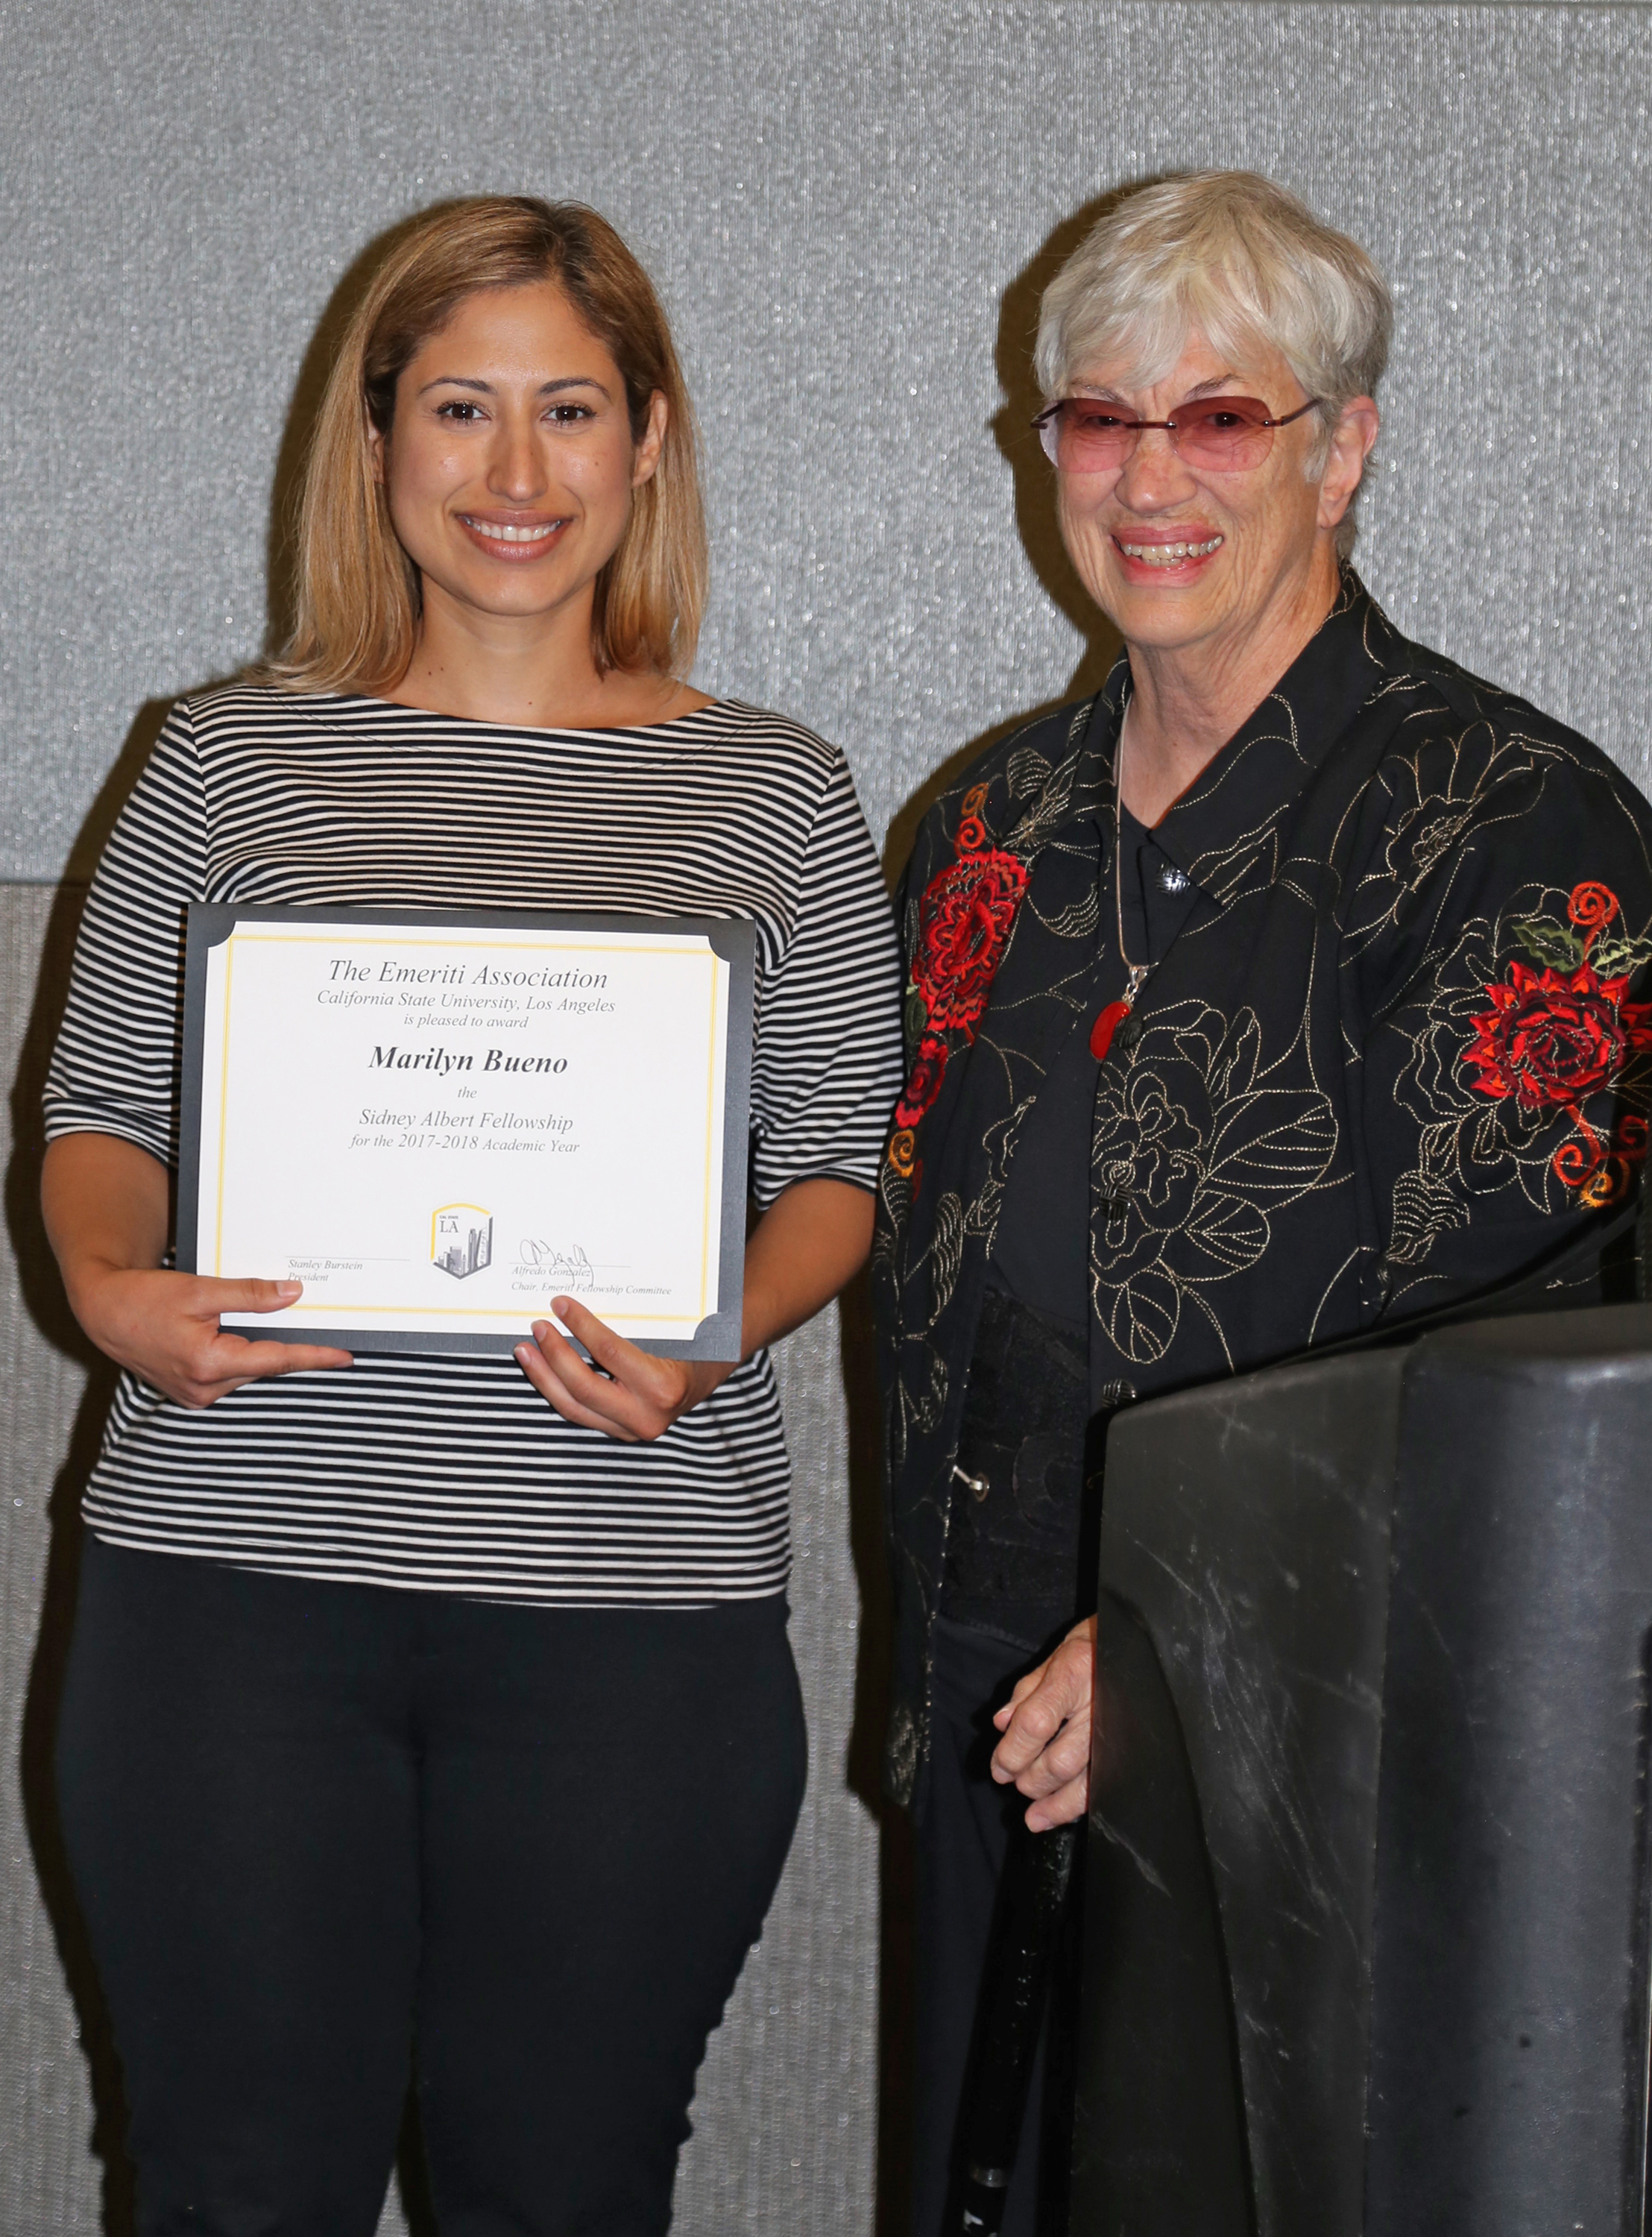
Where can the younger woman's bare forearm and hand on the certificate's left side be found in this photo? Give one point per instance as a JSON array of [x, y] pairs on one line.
[[106, 1207]]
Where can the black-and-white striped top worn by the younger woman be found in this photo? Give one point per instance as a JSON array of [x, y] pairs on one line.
[[453, 1473]]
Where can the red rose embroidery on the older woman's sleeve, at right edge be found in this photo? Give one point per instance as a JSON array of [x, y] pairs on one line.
[[1553, 1039]]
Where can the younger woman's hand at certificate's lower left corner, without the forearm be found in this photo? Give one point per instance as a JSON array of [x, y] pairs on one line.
[[167, 1330]]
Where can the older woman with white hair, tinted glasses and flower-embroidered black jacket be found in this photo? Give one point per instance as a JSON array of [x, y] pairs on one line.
[[1271, 994]]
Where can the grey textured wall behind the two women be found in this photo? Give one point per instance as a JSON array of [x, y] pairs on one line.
[[851, 214]]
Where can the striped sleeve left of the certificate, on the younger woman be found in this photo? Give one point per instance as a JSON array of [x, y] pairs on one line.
[[117, 1061]]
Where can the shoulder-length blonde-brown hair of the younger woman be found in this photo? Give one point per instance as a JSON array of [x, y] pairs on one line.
[[359, 594]]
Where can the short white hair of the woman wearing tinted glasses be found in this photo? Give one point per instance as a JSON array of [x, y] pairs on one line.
[[1235, 258]]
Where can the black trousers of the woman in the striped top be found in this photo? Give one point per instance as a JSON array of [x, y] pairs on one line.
[[334, 1838]]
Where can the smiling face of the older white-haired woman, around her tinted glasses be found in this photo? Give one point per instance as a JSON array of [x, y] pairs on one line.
[[1199, 563]]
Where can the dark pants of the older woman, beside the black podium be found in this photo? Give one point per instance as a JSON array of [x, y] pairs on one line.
[[965, 1829]]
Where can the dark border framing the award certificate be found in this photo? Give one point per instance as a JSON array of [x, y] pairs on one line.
[[730, 938]]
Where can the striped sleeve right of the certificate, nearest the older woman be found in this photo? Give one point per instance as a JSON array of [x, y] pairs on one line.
[[828, 1037]]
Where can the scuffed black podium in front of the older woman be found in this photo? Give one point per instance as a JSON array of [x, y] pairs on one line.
[[1369, 1885]]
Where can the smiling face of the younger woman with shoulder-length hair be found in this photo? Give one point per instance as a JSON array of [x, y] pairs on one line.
[[511, 462]]
